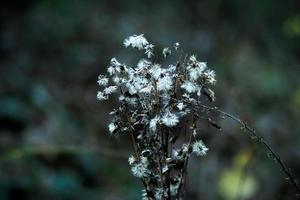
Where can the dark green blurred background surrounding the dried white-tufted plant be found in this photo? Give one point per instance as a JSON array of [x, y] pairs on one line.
[[54, 141]]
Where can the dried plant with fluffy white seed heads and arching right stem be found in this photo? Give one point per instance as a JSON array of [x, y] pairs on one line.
[[160, 108]]
